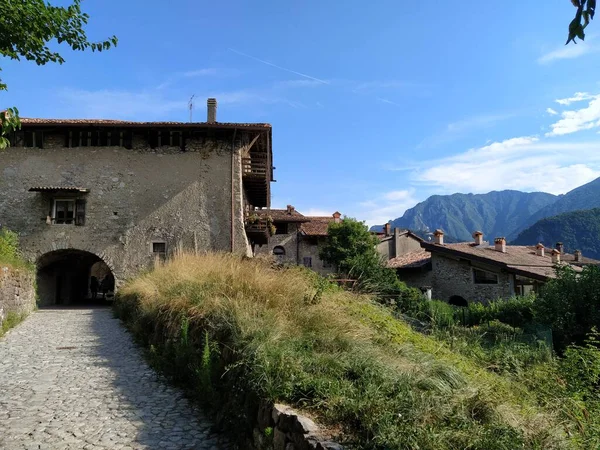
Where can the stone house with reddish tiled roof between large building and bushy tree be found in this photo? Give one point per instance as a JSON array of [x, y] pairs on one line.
[[297, 238]]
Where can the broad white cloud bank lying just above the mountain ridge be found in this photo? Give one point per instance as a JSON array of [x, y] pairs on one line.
[[524, 163]]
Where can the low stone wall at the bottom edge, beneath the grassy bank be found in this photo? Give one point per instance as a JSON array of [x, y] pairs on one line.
[[289, 430]]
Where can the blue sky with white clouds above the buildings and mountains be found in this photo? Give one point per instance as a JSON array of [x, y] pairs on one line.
[[374, 105]]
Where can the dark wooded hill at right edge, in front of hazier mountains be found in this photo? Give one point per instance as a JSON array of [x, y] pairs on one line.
[[577, 230]]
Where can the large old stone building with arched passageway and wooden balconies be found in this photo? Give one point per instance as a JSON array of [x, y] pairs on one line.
[[109, 197]]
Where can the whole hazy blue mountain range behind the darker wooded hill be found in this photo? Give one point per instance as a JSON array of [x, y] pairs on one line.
[[497, 213]]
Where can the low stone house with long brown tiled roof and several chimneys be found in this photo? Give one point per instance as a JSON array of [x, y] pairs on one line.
[[479, 272]]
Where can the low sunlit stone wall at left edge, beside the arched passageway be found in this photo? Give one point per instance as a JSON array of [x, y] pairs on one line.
[[17, 292]]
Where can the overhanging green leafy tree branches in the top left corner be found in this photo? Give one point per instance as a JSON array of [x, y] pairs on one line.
[[27, 27]]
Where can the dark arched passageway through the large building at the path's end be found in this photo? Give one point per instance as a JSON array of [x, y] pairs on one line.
[[72, 277]]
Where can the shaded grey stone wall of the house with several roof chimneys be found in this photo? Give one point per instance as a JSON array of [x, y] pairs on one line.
[[451, 277]]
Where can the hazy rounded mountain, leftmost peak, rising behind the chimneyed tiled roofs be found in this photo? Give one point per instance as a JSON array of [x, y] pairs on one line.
[[496, 213]]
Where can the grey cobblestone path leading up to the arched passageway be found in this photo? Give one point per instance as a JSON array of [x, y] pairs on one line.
[[73, 379]]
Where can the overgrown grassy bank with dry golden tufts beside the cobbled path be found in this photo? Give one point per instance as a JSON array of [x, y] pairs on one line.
[[223, 326]]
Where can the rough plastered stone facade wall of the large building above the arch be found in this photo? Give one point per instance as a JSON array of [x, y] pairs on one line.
[[136, 197]]
